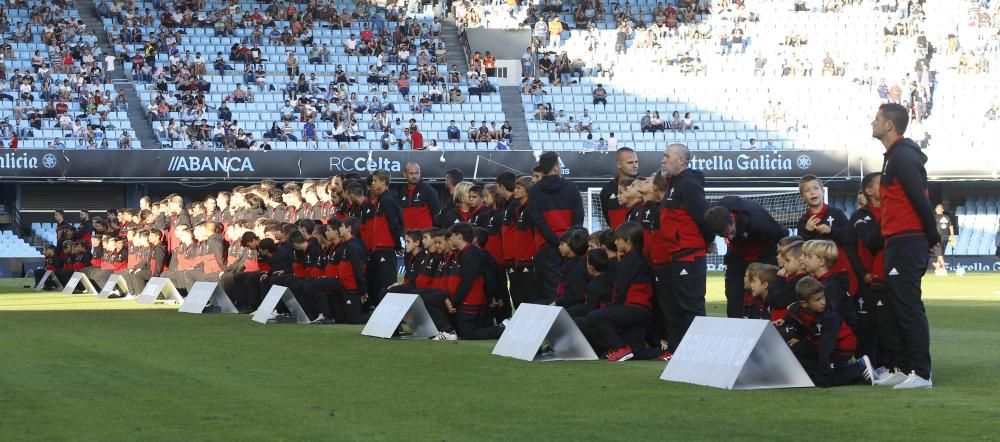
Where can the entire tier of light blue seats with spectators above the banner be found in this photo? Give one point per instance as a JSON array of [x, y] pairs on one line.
[[764, 72]]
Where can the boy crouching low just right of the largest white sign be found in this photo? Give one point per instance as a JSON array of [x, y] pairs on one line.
[[822, 342]]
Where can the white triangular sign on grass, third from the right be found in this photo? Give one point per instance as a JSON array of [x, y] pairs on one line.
[[396, 308]]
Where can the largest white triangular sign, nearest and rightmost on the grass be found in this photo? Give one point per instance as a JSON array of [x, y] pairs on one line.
[[735, 354]]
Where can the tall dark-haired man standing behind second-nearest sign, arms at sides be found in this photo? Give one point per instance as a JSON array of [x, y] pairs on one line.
[[554, 205]]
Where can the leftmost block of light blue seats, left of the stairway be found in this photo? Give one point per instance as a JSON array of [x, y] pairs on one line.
[[56, 91]]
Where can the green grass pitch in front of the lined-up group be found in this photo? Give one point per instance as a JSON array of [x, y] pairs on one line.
[[79, 368]]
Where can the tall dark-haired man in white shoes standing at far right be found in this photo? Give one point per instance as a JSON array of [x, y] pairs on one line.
[[909, 229]]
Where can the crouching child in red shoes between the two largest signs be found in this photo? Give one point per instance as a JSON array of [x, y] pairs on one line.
[[622, 323]]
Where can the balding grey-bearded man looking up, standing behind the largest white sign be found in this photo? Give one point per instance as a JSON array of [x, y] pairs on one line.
[[680, 287]]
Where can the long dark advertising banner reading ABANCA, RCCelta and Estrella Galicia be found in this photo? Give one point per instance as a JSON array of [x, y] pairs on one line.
[[174, 165]]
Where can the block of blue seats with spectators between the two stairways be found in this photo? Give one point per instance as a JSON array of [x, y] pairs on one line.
[[322, 93]]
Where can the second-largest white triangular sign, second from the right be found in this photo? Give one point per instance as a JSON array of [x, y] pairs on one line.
[[532, 325]]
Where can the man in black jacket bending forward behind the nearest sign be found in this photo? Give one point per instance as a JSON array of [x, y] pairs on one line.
[[752, 236]]
